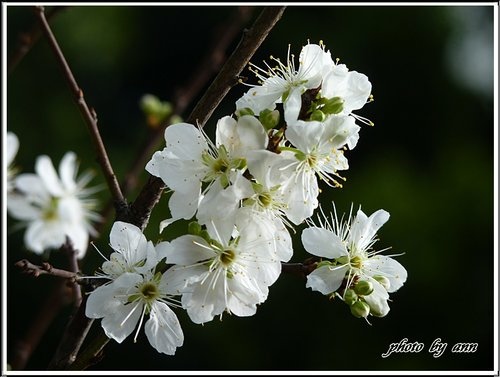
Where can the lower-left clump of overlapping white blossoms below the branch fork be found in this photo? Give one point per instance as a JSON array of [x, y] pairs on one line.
[[135, 290]]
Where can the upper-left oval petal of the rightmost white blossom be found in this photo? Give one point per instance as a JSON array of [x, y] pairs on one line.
[[323, 243]]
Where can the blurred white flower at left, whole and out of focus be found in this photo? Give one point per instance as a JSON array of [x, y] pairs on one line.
[[54, 207]]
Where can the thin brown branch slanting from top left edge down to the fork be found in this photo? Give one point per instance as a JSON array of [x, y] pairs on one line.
[[89, 115]]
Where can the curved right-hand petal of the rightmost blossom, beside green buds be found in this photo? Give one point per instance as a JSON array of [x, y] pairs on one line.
[[388, 267]]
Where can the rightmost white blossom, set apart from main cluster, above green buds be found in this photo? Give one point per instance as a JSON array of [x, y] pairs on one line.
[[347, 248]]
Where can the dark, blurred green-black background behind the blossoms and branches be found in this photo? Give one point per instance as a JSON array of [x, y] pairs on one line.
[[429, 161]]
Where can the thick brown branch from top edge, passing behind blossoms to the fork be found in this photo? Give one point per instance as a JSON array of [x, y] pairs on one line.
[[141, 209]]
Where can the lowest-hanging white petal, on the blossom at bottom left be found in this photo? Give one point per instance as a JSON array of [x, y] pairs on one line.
[[163, 329]]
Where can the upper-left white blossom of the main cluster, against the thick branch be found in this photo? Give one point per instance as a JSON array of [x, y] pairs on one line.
[[191, 159]]
